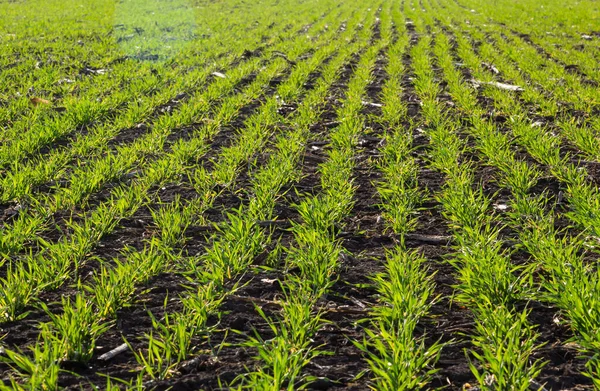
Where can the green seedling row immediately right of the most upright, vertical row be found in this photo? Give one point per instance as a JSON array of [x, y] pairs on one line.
[[489, 285]]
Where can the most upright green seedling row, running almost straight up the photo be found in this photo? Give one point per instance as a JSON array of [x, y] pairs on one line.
[[397, 358]]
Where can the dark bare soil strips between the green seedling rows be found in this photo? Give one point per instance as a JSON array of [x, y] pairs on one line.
[[364, 237]]
